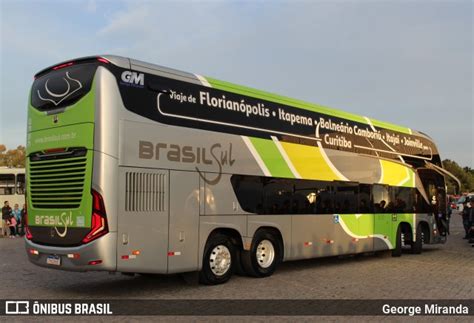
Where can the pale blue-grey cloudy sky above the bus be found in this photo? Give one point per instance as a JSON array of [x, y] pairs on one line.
[[405, 62]]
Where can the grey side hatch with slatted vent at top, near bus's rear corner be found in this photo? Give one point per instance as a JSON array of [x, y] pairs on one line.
[[142, 243]]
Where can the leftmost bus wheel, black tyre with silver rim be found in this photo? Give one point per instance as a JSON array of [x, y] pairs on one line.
[[219, 260]]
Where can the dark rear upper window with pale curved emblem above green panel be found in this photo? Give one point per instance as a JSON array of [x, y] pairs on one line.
[[62, 87]]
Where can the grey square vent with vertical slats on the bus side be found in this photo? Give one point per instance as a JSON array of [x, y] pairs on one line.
[[144, 192]]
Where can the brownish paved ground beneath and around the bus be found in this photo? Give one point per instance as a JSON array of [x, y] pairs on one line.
[[440, 272]]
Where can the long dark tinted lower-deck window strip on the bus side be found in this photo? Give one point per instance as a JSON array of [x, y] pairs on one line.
[[270, 195]]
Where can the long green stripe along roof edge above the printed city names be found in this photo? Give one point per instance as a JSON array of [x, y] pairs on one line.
[[243, 90]]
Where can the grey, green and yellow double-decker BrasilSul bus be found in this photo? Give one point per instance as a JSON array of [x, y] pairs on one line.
[[139, 168]]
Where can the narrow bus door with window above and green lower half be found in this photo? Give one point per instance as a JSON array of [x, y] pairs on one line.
[[383, 217]]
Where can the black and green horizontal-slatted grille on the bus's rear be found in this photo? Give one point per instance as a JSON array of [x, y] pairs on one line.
[[57, 183]]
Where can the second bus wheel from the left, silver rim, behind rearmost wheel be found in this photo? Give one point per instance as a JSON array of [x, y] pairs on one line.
[[264, 255]]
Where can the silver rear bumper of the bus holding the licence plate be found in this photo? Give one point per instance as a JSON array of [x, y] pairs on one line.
[[98, 255]]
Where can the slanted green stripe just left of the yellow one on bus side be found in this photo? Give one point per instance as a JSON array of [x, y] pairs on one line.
[[272, 158]]
